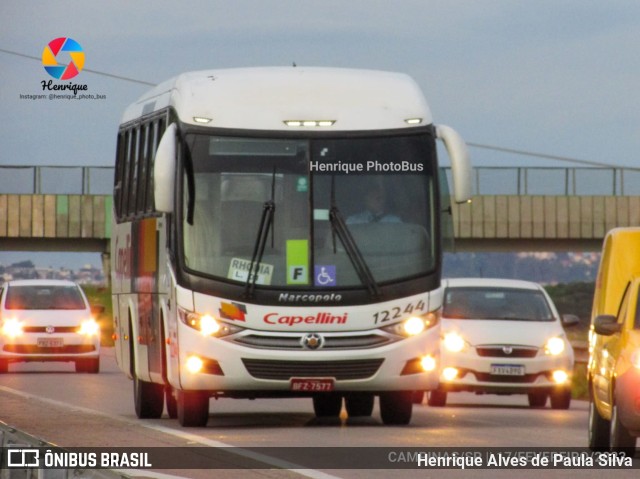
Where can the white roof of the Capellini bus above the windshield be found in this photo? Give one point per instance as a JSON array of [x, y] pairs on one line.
[[265, 98]]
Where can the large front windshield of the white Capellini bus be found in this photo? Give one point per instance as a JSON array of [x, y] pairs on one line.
[[280, 203]]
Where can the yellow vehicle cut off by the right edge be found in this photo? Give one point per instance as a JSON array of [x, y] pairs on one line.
[[614, 345]]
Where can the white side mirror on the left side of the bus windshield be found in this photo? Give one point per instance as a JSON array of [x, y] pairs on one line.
[[164, 170]]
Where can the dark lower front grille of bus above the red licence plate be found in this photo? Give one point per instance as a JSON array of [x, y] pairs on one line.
[[285, 370]]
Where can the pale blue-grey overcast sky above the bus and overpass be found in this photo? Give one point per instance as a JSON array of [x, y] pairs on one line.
[[556, 77]]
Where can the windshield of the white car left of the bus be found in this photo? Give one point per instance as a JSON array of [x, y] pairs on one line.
[[44, 297]]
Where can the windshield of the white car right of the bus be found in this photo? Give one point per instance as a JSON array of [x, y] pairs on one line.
[[496, 303]]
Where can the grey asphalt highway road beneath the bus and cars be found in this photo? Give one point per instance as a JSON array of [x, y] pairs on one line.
[[54, 403]]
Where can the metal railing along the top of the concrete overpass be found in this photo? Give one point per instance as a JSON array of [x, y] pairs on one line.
[[488, 180]]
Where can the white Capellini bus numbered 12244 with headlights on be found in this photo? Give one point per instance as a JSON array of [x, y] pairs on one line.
[[278, 232]]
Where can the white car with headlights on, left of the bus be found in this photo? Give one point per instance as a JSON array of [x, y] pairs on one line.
[[48, 320]]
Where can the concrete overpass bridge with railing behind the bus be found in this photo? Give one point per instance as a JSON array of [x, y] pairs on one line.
[[54, 208]]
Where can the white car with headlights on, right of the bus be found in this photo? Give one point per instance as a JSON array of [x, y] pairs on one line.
[[503, 337]]
